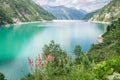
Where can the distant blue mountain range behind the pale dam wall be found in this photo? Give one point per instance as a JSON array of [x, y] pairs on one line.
[[64, 13]]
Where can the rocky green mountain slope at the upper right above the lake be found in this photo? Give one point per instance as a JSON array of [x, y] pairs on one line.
[[109, 12]]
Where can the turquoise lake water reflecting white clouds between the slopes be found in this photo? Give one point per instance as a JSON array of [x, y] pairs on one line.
[[19, 42]]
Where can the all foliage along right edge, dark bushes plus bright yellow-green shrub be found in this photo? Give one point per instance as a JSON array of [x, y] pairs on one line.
[[107, 53]]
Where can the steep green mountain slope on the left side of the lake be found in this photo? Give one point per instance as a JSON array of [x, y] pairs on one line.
[[21, 11]]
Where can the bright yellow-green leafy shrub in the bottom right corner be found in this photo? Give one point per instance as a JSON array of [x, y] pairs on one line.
[[107, 67]]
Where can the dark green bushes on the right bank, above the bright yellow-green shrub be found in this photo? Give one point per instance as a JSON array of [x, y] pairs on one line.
[[110, 45]]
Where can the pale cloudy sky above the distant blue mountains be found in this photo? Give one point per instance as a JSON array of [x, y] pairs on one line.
[[88, 5]]
